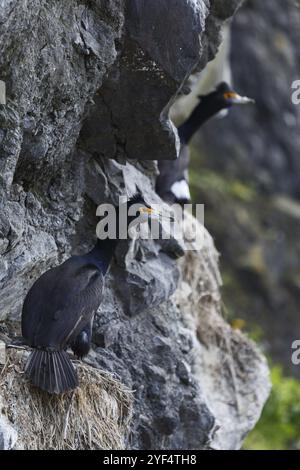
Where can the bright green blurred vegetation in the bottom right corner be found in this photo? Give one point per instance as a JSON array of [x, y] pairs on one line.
[[279, 426]]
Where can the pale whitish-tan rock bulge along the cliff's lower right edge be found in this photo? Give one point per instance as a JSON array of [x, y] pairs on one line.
[[230, 370]]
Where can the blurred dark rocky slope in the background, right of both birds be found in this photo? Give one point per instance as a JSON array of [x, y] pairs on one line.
[[248, 172]]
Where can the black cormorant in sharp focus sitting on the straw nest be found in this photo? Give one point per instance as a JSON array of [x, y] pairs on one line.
[[59, 308]]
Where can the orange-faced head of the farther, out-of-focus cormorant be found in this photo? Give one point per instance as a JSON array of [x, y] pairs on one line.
[[223, 97]]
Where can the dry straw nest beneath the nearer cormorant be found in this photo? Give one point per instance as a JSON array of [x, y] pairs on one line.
[[94, 416]]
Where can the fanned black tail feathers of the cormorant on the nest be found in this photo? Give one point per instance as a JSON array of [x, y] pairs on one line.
[[51, 371]]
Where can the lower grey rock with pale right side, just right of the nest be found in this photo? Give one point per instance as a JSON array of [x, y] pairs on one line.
[[197, 382]]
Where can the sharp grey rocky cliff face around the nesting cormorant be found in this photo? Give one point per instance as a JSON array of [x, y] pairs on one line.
[[88, 88]]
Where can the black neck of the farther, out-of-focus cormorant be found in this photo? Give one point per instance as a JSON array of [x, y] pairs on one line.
[[199, 116]]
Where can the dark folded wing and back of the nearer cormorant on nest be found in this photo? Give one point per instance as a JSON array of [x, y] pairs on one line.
[[61, 302]]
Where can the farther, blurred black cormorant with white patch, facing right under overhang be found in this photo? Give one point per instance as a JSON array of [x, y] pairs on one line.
[[172, 182]]
